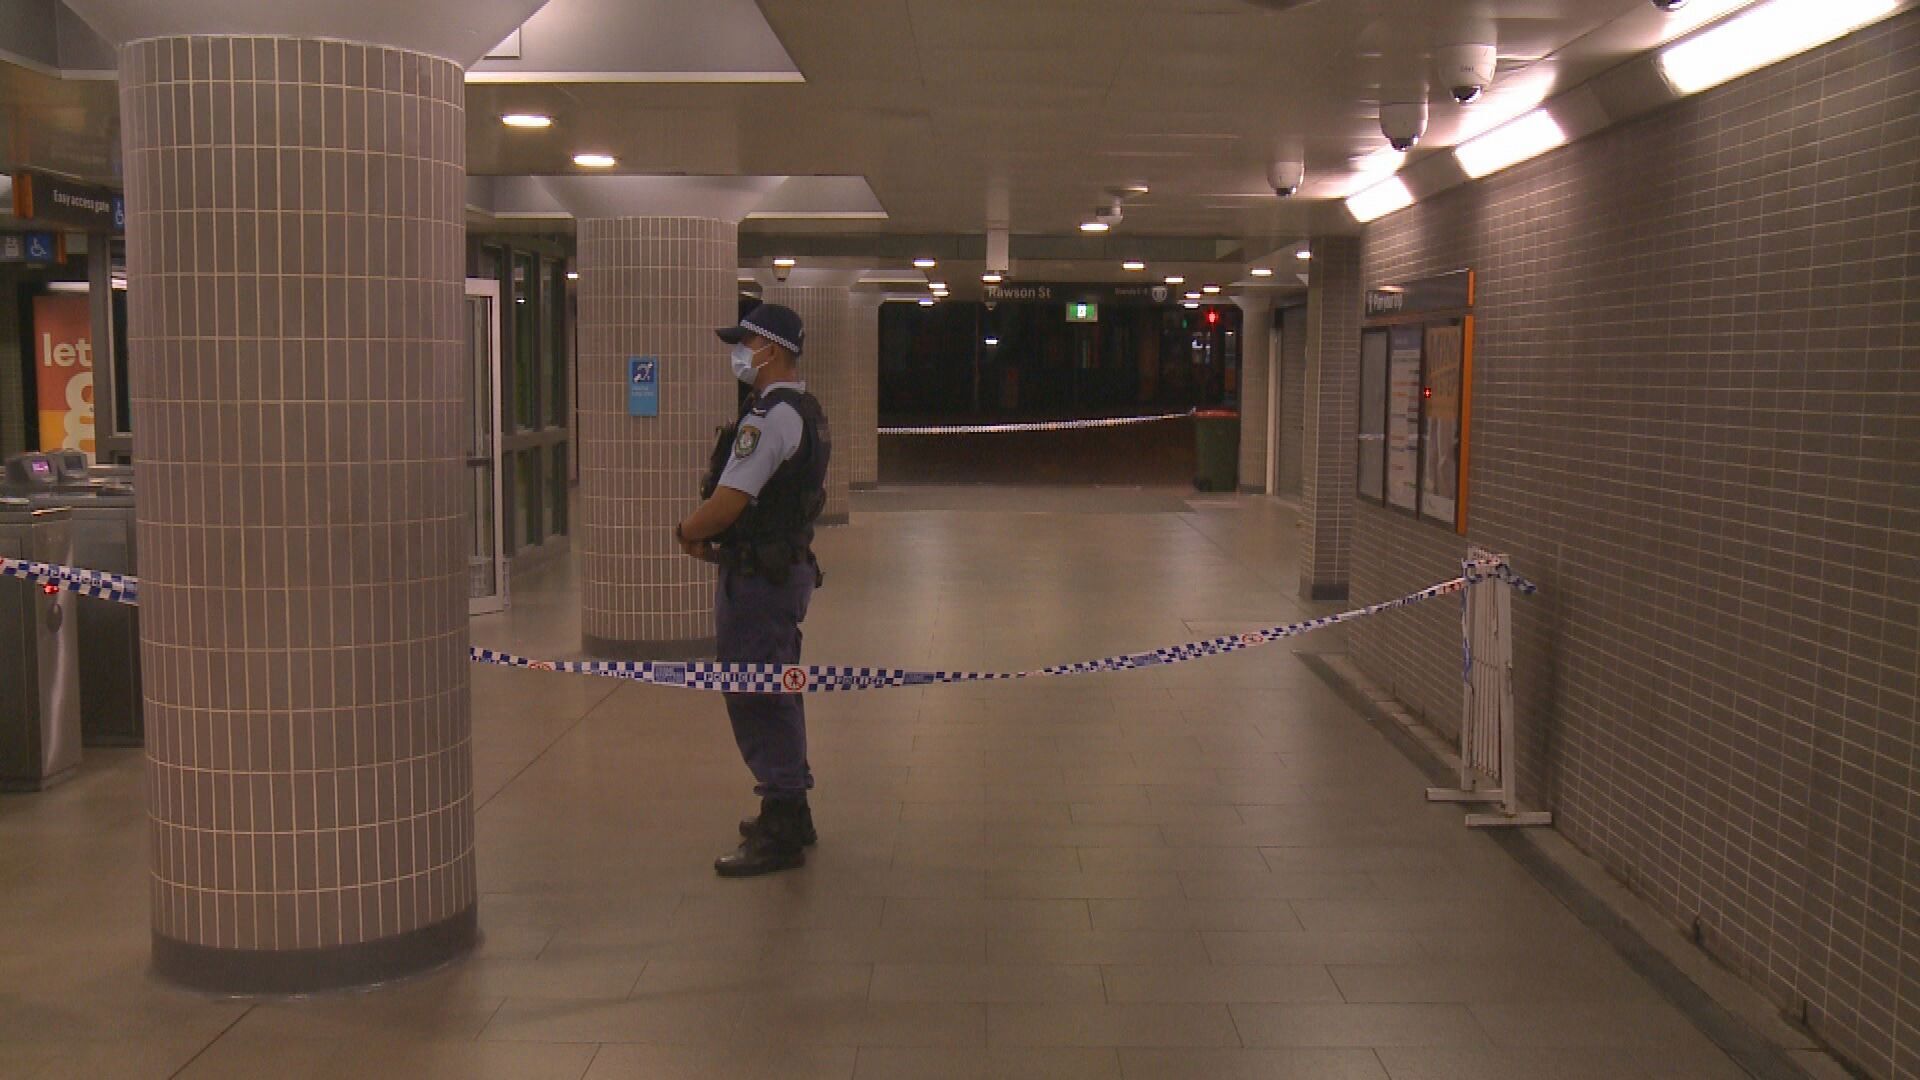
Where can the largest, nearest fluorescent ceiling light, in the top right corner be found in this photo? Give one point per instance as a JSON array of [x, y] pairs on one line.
[[1764, 36]]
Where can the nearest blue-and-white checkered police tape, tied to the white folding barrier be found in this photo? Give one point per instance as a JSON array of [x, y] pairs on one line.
[[734, 677]]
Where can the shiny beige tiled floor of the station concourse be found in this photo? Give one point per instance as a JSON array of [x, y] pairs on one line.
[[1207, 871]]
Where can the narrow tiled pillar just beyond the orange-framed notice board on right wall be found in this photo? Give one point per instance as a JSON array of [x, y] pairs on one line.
[[1330, 418]]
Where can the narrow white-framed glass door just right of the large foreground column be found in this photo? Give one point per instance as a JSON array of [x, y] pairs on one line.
[[487, 556]]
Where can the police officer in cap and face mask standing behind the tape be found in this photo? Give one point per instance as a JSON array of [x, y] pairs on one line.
[[765, 487]]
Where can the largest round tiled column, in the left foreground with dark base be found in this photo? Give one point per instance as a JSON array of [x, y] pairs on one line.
[[297, 247]]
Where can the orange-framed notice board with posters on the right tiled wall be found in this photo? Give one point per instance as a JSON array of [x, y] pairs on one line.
[[1416, 399]]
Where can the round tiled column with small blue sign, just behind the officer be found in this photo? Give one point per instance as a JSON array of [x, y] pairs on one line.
[[650, 287]]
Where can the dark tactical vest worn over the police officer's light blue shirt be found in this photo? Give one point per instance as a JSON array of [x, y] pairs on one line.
[[777, 531]]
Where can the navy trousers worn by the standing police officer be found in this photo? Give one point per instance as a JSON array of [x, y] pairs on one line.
[[759, 622]]
